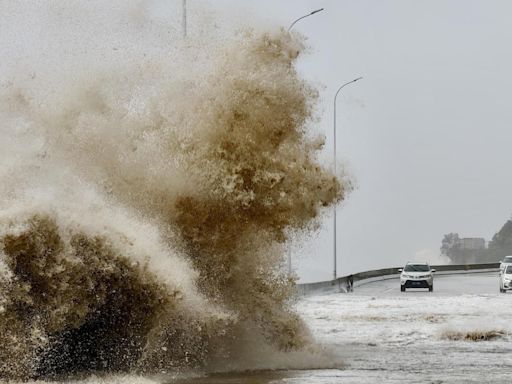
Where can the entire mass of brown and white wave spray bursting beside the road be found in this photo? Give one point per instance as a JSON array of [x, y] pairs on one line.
[[215, 157]]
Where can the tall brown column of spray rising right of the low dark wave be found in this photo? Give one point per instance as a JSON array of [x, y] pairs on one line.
[[260, 178]]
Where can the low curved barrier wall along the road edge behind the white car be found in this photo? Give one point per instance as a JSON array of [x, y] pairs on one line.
[[340, 284]]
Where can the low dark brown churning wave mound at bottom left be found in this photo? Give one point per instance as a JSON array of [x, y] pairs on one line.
[[72, 303]]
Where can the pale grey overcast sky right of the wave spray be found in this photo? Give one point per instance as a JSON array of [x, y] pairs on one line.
[[427, 133]]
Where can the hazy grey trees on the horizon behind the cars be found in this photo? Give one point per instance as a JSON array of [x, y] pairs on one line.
[[498, 247]]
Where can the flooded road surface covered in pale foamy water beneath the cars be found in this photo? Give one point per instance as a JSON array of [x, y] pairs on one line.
[[460, 333]]
